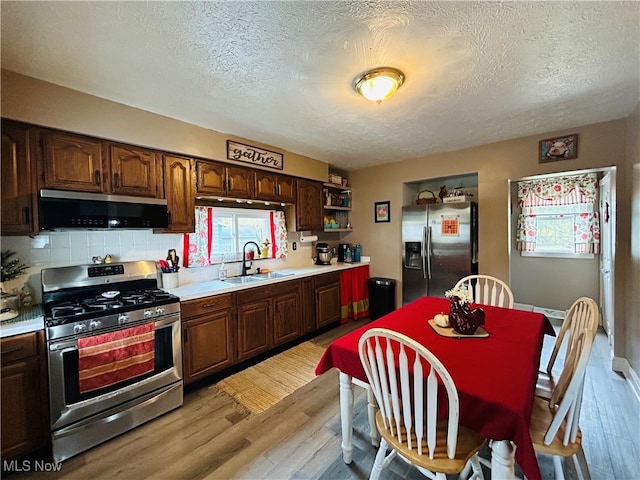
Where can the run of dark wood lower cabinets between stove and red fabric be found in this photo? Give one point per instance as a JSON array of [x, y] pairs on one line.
[[219, 331]]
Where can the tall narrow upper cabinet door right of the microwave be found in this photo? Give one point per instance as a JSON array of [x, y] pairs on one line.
[[179, 192]]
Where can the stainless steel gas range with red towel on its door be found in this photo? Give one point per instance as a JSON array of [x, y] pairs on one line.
[[114, 350]]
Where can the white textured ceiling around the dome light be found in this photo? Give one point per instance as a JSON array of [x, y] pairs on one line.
[[281, 72]]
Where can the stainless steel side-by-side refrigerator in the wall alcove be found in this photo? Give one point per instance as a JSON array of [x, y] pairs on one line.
[[439, 247]]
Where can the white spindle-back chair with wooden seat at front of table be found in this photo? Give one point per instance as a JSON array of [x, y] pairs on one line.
[[399, 371]]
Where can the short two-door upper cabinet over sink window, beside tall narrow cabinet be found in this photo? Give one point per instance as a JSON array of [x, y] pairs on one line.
[[215, 178]]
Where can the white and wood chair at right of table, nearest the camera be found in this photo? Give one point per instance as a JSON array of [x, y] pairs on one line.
[[554, 426]]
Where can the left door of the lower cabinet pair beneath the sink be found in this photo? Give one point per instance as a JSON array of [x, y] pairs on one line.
[[254, 329]]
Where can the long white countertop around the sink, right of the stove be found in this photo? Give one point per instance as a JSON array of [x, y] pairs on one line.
[[197, 290]]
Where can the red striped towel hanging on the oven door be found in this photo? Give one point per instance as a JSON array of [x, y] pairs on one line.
[[111, 358]]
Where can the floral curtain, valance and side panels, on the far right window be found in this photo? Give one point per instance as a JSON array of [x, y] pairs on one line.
[[574, 195]]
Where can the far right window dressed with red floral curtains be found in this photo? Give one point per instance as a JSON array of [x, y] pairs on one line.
[[558, 216]]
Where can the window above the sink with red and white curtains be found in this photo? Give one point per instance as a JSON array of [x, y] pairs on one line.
[[221, 233]]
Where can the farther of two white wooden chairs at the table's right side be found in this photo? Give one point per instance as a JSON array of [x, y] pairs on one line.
[[582, 316]]
